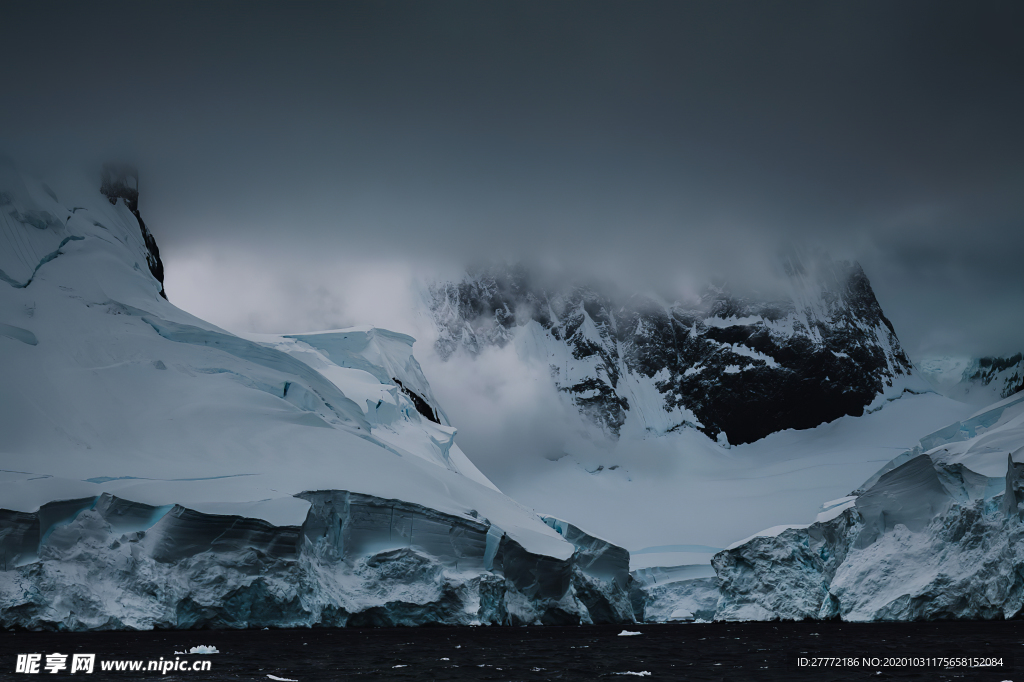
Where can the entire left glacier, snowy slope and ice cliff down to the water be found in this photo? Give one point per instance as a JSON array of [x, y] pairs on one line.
[[158, 472]]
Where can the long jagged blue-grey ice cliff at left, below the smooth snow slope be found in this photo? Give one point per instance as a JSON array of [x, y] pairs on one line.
[[357, 561]]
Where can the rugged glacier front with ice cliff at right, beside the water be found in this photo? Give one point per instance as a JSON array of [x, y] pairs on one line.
[[936, 534]]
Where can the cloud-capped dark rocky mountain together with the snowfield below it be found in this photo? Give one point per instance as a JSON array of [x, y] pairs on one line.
[[671, 387]]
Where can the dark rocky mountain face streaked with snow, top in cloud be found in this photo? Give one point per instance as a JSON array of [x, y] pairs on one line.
[[733, 367]]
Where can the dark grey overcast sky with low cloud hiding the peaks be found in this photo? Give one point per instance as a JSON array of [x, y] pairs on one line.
[[302, 162]]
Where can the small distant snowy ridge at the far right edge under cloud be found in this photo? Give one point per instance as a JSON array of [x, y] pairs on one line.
[[975, 380]]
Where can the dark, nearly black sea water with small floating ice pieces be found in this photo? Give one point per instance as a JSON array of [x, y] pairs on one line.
[[697, 652]]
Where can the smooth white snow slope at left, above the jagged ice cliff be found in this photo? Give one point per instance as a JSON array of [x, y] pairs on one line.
[[110, 389]]
